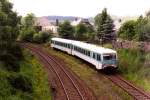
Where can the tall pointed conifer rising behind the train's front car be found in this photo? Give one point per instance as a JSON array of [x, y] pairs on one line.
[[104, 26]]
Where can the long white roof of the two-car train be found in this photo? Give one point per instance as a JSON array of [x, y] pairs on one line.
[[87, 46]]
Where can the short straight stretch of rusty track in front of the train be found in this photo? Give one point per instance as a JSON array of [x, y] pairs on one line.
[[132, 90]]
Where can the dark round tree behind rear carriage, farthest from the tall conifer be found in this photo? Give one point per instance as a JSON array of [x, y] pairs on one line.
[[66, 30]]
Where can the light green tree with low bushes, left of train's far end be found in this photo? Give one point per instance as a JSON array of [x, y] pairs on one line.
[[29, 33]]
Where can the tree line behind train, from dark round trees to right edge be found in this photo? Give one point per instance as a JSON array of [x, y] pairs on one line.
[[104, 31]]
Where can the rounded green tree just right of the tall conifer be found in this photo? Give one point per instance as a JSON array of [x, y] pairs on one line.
[[128, 30]]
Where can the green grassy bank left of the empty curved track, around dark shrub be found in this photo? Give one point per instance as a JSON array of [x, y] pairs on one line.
[[33, 71]]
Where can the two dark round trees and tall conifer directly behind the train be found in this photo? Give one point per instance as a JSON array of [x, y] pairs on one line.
[[103, 31]]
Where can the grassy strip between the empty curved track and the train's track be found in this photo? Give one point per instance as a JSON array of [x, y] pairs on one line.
[[101, 86]]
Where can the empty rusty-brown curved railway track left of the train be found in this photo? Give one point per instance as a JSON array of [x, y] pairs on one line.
[[72, 89]]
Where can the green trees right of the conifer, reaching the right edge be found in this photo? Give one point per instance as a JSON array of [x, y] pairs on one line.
[[136, 30]]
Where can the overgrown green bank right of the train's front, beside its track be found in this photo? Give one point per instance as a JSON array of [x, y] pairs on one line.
[[135, 66]]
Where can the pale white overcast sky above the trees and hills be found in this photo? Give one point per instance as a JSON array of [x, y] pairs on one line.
[[81, 8]]
